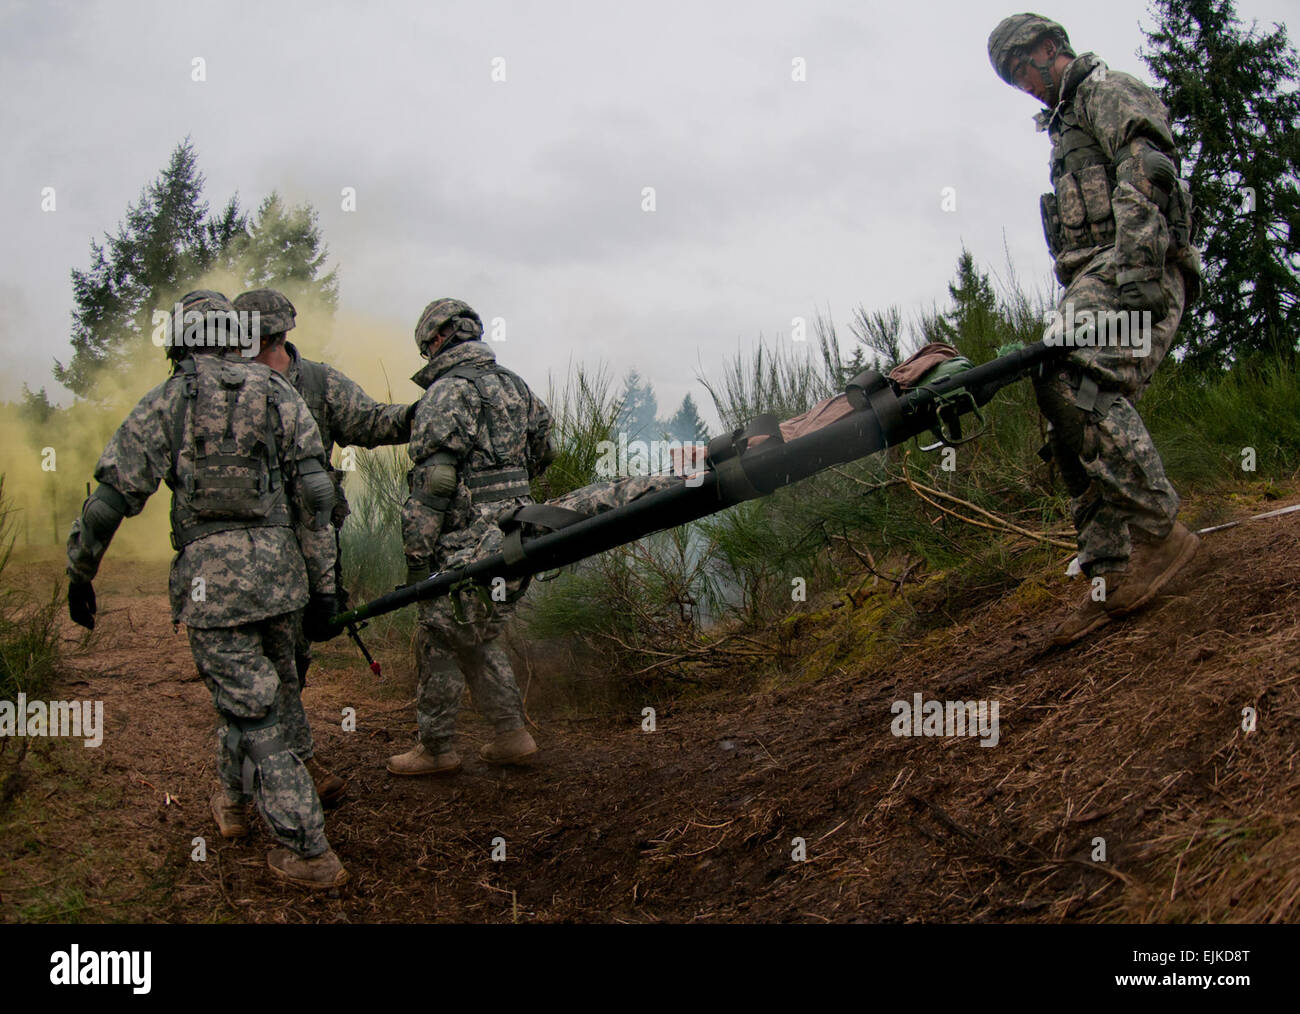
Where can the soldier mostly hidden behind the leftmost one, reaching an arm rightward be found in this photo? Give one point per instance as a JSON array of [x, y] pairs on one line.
[[345, 415]]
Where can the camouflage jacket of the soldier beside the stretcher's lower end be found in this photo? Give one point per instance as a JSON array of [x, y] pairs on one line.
[[499, 434]]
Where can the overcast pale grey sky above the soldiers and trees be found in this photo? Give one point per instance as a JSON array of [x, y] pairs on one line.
[[774, 198]]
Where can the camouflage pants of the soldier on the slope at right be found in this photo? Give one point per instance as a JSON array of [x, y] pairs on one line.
[[1107, 457]]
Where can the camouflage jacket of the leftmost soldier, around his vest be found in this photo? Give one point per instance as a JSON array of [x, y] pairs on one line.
[[245, 574]]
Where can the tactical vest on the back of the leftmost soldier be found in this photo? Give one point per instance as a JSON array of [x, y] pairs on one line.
[[233, 478]]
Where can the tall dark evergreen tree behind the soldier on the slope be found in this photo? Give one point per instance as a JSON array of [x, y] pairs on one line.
[[1236, 112]]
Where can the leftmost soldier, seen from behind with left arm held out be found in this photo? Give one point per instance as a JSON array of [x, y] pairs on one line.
[[242, 457]]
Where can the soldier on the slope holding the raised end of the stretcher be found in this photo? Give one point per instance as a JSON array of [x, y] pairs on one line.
[[1119, 228]]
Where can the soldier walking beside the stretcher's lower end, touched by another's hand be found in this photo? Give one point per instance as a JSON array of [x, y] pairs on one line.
[[479, 436]]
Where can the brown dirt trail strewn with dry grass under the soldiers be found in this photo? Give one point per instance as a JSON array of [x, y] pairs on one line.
[[1136, 738]]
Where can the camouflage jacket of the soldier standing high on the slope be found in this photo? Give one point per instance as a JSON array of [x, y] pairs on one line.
[[1102, 193]]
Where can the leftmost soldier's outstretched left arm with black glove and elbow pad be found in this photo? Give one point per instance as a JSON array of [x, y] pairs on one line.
[[129, 471]]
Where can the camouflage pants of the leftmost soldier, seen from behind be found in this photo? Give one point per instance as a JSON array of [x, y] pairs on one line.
[[250, 673]]
